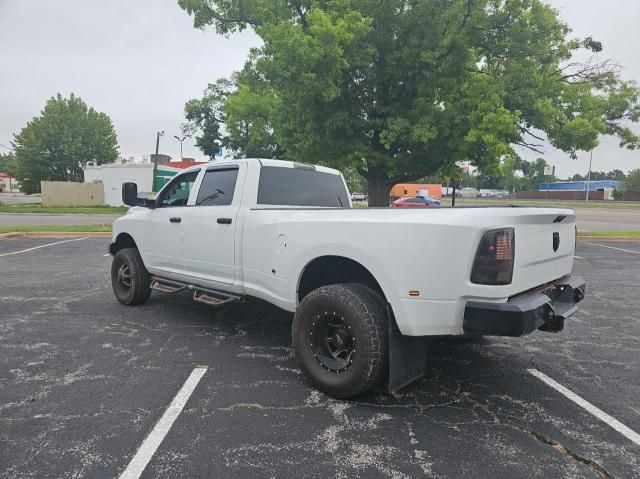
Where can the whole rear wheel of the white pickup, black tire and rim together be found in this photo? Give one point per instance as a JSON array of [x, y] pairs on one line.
[[340, 338]]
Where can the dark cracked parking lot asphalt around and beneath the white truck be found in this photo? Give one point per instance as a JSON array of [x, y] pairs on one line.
[[83, 380]]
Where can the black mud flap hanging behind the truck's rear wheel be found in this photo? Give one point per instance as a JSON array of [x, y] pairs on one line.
[[407, 358]]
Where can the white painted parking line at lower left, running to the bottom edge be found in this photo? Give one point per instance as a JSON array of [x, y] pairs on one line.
[[149, 446]]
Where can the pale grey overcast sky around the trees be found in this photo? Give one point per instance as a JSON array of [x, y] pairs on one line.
[[140, 60]]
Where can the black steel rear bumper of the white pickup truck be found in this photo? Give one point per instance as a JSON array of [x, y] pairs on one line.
[[545, 309]]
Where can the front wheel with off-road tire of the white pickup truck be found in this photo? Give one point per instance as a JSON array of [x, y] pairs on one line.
[[139, 279]]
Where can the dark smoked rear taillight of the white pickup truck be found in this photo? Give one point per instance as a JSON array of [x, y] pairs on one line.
[[494, 259]]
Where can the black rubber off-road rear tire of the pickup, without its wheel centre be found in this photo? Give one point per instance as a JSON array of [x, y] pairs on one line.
[[360, 311]]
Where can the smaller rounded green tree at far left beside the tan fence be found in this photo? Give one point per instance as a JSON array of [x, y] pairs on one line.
[[55, 145]]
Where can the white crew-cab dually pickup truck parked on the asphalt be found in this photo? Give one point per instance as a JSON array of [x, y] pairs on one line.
[[367, 286]]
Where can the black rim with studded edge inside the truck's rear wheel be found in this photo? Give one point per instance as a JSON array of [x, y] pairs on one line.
[[331, 342]]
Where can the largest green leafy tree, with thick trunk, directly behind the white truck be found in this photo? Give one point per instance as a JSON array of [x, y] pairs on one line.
[[402, 89]]
